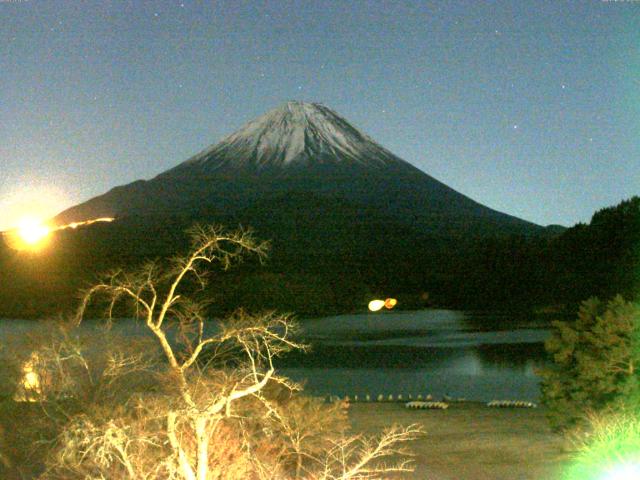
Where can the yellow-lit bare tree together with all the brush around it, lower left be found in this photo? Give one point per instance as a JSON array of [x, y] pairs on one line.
[[188, 403]]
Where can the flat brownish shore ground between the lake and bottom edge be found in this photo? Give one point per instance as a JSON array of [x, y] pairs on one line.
[[472, 442]]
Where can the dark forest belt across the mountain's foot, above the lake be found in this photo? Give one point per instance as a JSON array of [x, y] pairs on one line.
[[324, 264]]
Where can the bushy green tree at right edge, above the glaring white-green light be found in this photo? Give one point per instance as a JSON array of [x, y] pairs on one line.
[[595, 361]]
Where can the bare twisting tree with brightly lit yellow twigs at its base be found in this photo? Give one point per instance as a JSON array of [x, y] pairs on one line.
[[221, 410]]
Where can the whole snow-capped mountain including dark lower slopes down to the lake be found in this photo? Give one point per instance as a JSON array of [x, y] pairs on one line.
[[347, 219]]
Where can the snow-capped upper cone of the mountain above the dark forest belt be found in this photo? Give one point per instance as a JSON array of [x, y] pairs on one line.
[[301, 159]]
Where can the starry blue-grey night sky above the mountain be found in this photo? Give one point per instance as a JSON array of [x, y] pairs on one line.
[[529, 107]]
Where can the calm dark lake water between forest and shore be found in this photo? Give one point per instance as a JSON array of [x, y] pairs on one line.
[[433, 352]]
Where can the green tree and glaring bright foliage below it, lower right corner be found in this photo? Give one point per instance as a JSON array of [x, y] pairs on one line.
[[592, 389]]
